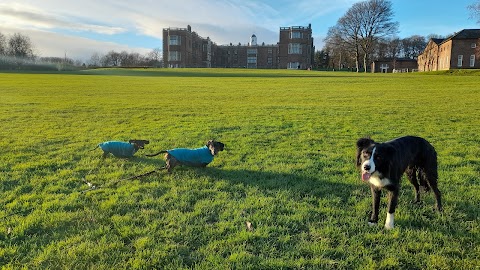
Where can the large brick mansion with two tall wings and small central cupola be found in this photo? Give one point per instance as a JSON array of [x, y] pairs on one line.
[[184, 48]]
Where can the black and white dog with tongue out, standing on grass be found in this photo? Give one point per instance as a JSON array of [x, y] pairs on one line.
[[383, 164]]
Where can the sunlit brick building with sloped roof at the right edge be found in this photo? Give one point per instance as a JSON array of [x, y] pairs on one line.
[[459, 51]]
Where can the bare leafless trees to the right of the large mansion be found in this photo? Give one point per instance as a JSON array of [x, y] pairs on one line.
[[367, 32]]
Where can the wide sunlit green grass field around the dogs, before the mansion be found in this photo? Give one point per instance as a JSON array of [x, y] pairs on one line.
[[288, 169]]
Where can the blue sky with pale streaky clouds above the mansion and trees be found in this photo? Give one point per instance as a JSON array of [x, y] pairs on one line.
[[79, 29]]
